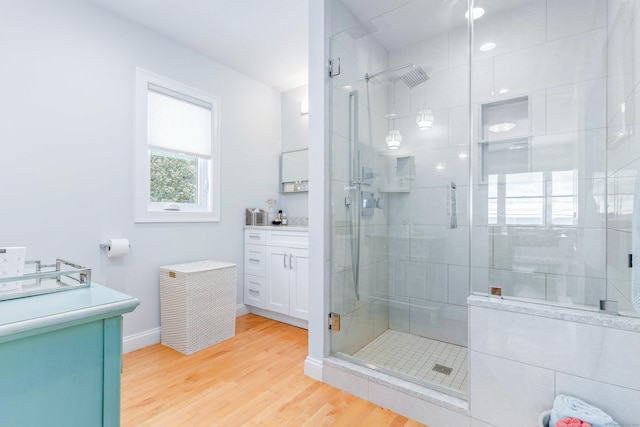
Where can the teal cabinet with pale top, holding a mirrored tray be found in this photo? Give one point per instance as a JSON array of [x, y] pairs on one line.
[[61, 358]]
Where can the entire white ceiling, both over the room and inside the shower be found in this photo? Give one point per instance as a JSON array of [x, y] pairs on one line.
[[267, 40]]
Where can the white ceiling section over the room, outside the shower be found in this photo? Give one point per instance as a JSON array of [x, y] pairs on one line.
[[265, 40]]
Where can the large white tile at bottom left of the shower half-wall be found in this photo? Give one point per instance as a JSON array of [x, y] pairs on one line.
[[502, 390]]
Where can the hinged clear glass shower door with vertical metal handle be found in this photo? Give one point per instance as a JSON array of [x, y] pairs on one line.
[[399, 171]]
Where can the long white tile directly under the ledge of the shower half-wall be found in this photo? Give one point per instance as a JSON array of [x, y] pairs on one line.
[[578, 349]]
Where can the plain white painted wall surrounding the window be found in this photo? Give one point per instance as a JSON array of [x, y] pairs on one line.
[[66, 137]]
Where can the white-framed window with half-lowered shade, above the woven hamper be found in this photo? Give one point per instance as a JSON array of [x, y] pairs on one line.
[[177, 152]]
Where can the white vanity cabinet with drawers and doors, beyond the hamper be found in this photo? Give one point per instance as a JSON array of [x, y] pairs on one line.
[[276, 268]]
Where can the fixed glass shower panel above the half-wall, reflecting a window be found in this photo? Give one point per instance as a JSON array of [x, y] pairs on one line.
[[539, 229]]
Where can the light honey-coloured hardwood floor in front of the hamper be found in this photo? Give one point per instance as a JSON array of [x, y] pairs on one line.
[[255, 379]]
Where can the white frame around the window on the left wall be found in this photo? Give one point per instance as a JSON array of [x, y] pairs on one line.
[[145, 210]]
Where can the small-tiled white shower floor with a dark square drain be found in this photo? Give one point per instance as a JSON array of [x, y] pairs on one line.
[[416, 357]]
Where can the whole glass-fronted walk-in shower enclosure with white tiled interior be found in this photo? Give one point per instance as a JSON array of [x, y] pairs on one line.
[[469, 149]]
